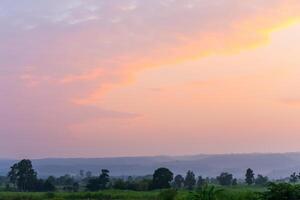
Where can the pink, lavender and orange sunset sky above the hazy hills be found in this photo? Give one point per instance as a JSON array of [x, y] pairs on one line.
[[100, 78]]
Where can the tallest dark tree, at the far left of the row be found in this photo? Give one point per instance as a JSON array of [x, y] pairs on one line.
[[23, 176]]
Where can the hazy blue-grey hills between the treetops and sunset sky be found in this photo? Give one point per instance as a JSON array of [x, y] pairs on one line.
[[273, 165]]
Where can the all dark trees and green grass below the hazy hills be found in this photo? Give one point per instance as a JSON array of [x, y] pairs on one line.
[[22, 183]]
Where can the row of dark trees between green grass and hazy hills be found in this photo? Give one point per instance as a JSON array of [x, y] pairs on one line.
[[23, 177]]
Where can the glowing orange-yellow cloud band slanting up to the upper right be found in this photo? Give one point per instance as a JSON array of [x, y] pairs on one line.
[[246, 33]]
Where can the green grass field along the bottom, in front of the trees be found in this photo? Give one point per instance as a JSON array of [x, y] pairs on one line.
[[228, 193]]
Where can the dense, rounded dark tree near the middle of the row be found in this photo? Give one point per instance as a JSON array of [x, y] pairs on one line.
[[162, 178]]
